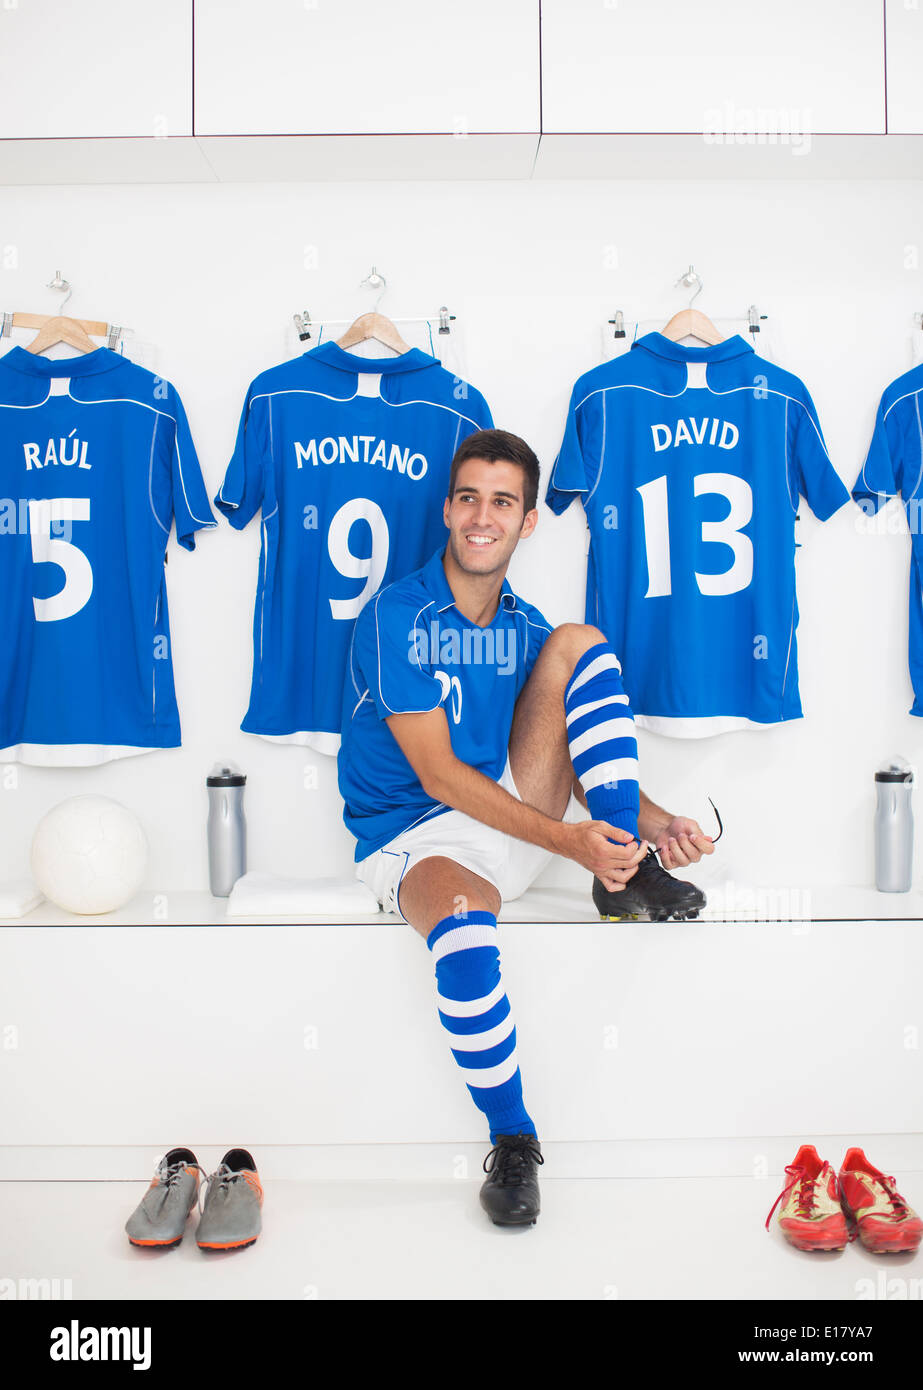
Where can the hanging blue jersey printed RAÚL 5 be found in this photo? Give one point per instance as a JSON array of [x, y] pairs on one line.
[[97, 464]]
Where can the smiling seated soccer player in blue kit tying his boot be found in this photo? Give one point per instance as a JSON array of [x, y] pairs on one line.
[[469, 725]]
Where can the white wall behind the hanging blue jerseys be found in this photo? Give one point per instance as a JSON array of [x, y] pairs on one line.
[[211, 277]]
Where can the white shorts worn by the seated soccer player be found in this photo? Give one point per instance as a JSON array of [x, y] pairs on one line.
[[509, 864]]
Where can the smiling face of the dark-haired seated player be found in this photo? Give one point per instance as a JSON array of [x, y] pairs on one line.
[[486, 516]]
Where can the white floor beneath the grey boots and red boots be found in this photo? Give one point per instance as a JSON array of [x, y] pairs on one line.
[[603, 1239]]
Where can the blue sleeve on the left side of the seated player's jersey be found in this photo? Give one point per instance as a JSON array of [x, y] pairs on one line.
[[390, 647]]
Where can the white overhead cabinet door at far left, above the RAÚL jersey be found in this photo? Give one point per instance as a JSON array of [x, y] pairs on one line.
[[95, 69]]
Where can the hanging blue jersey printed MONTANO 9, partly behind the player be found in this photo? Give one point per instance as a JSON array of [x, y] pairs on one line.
[[348, 458]]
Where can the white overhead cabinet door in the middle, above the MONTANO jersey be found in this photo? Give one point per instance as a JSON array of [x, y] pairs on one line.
[[359, 67]]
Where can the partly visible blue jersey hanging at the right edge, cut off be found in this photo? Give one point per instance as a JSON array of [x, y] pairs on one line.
[[895, 468]]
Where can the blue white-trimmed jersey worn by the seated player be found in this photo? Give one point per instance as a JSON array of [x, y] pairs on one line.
[[414, 651]]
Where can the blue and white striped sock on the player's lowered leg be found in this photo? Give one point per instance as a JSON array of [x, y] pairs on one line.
[[476, 1013]]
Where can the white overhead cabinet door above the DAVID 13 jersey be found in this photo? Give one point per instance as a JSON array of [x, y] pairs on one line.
[[714, 66]]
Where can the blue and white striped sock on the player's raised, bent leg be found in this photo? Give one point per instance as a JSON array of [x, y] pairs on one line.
[[601, 737]]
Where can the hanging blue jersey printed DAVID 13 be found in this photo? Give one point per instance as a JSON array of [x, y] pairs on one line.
[[690, 464]]
